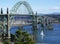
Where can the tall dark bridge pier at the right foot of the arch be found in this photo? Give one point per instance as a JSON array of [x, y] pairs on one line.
[[34, 25]]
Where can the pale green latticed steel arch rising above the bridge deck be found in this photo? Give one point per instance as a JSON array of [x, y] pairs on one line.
[[17, 5]]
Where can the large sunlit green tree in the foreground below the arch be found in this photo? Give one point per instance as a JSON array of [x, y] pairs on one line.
[[22, 38]]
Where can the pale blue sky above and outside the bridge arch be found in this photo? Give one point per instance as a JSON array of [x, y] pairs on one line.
[[41, 6]]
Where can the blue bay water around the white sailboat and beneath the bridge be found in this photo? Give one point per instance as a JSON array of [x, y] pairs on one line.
[[50, 36]]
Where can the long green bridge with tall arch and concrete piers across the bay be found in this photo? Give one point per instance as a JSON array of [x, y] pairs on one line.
[[15, 18]]
